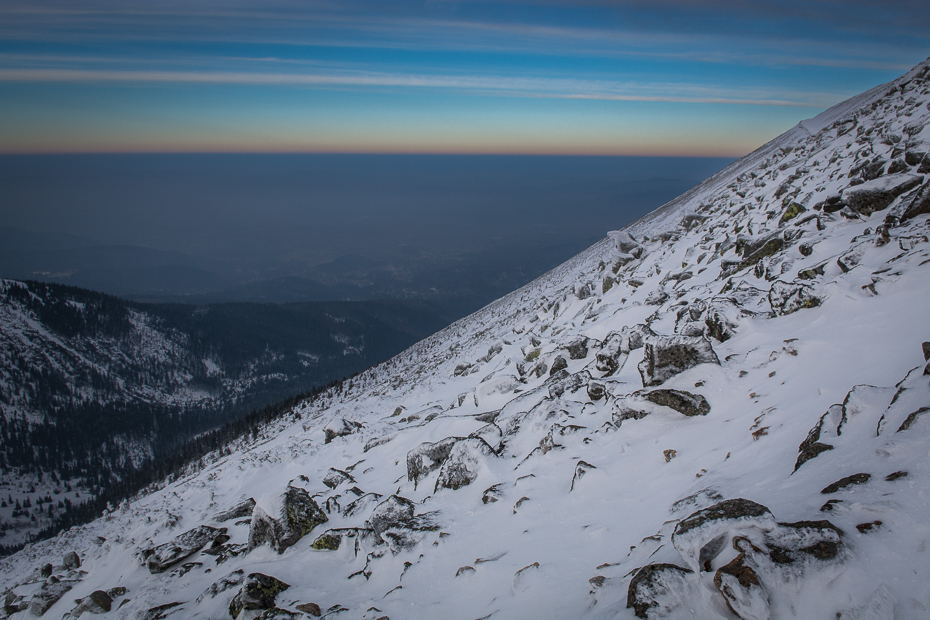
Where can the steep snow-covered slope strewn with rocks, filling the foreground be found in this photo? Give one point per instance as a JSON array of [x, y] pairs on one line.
[[718, 412]]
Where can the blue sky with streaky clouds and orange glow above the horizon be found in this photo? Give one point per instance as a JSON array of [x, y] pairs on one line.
[[626, 77]]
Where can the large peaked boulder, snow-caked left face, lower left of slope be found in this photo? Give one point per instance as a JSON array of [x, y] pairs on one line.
[[285, 520]]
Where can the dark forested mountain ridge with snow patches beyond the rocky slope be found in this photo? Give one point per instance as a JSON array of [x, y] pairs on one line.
[[94, 388]]
